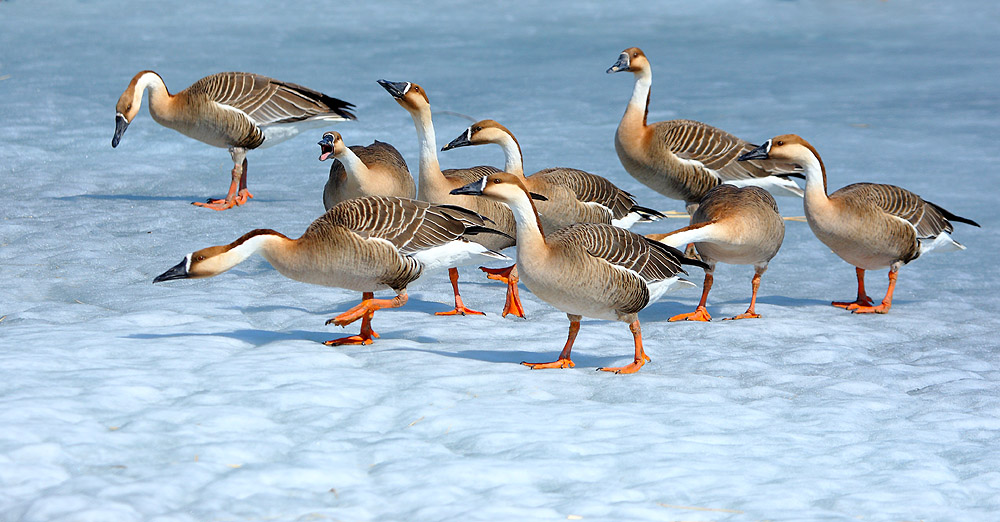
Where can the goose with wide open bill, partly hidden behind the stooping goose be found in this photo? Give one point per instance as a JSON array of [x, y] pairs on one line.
[[376, 170]]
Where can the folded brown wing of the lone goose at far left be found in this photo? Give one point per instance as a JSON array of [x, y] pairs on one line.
[[268, 101]]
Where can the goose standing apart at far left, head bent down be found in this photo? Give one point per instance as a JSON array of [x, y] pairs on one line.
[[234, 110]]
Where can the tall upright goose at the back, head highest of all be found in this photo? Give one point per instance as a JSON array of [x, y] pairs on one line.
[[684, 159]]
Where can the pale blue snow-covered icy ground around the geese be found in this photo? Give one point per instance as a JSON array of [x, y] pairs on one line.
[[215, 399]]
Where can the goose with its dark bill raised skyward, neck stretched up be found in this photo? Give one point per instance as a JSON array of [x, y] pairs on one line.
[[436, 186]]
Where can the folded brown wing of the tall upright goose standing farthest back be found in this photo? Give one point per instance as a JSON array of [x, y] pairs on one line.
[[717, 150]]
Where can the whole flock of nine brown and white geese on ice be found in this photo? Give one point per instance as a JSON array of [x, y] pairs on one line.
[[574, 251]]
